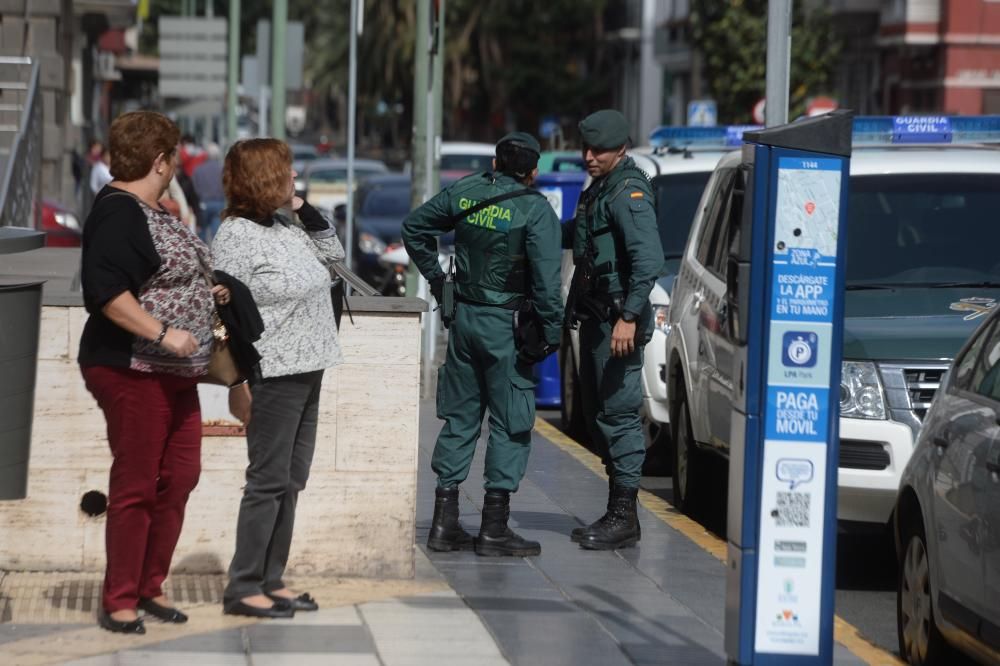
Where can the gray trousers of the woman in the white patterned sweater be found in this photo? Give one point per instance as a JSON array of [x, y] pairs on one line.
[[281, 438]]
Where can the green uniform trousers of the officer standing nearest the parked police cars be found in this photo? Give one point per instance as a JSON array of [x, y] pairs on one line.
[[611, 394]]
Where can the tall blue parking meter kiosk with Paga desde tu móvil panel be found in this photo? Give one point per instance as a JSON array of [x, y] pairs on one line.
[[785, 303]]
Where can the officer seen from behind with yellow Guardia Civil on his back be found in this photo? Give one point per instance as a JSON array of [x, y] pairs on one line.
[[508, 248]]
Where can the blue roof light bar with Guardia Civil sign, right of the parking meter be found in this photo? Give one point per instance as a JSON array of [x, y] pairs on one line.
[[876, 130]]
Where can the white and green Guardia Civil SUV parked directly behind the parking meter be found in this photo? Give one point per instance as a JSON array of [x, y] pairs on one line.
[[921, 270]]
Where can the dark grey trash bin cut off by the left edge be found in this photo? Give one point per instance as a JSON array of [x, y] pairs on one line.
[[20, 314]]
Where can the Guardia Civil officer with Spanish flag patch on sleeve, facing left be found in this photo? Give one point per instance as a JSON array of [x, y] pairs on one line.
[[617, 253]]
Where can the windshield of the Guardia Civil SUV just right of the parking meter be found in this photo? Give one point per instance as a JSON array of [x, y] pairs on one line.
[[923, 230]]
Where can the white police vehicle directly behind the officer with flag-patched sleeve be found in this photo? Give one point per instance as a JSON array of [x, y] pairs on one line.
[[678, 171]]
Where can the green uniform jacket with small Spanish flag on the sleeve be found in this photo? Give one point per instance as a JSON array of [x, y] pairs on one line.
[[629, 256]]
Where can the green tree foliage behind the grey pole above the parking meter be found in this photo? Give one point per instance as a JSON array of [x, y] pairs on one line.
[[732, 36]]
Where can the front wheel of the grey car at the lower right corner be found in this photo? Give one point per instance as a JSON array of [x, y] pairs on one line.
[[920, 641]]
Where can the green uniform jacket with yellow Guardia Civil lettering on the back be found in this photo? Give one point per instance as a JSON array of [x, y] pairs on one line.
[[504, 252]]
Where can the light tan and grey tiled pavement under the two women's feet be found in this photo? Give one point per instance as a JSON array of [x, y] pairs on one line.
[[376, 623]]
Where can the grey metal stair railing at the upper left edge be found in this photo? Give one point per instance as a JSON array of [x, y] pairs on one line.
[[20, 143]]
